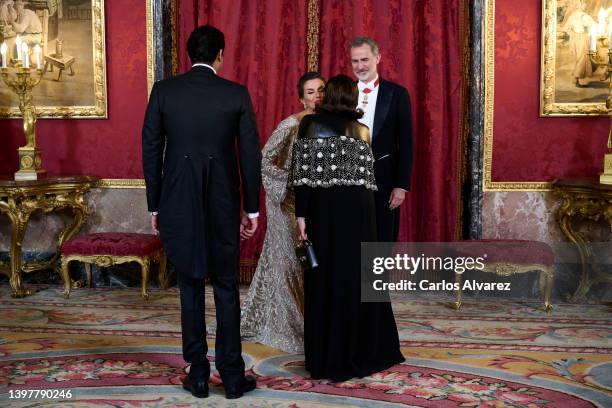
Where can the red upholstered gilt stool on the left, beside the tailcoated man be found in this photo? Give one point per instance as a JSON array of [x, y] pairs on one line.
[[110, 248]]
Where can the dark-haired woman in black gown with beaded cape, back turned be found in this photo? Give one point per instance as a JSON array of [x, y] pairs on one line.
[[333, 177]]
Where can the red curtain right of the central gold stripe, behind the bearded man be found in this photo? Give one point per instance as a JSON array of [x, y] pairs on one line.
[[419, 43]]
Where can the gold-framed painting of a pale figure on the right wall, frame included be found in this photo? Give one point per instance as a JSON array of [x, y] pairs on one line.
[[574, 64]]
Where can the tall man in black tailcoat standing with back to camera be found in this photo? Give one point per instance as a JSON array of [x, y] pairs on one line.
[[193, 194]]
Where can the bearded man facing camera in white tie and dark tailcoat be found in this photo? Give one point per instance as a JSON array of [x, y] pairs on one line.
[[387, 113]]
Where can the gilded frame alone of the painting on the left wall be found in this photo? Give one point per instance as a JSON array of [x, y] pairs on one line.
[[97, 111]]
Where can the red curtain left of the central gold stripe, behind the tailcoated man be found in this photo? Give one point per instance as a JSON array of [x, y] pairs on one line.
[[266, 51]]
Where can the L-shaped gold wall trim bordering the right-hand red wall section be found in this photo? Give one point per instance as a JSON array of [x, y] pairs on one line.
[[489, 63]]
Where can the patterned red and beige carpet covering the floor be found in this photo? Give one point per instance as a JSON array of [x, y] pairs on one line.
[[111, 349]]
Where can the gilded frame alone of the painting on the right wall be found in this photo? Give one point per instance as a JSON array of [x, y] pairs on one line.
[[548, 106]]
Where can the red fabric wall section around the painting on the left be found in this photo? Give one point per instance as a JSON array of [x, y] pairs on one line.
[[108, 148]]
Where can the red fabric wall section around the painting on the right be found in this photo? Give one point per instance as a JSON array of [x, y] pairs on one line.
[[527, 147]]
